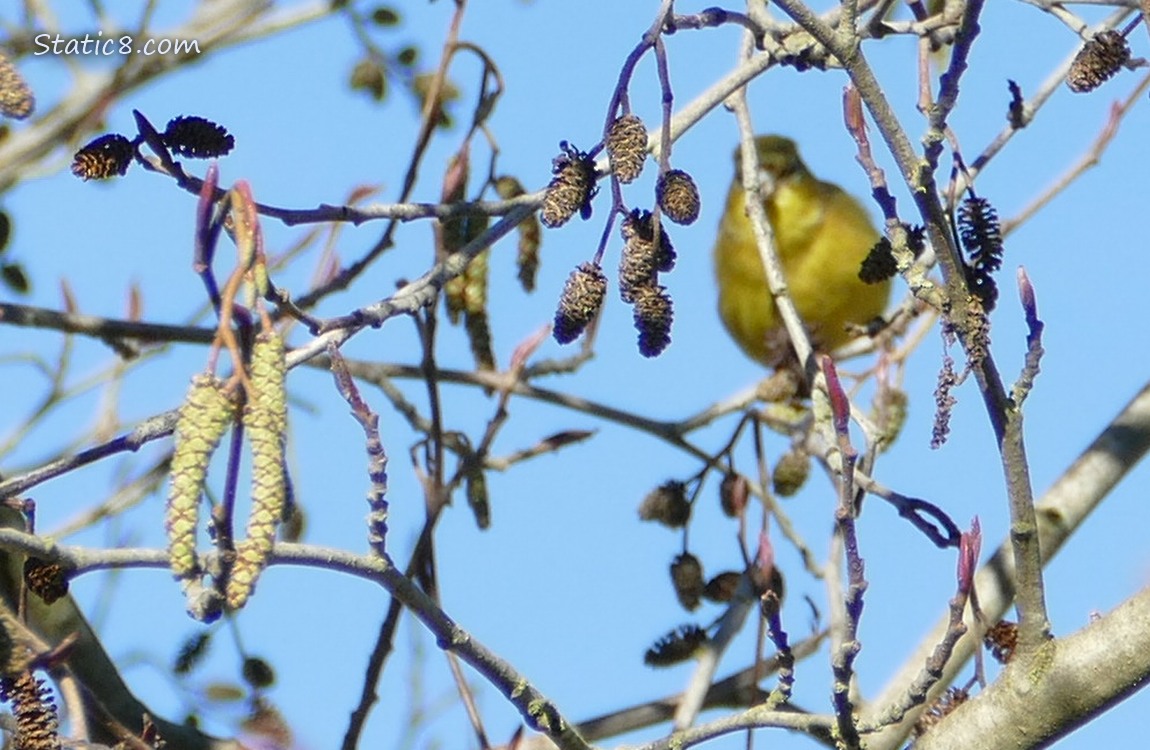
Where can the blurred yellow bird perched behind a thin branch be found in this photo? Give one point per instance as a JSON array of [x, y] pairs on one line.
[[822, 234]]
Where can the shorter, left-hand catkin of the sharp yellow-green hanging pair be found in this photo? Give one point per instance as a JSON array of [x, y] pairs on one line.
[[204, 418]]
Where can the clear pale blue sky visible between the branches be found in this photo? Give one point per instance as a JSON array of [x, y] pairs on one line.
[[568, 585]]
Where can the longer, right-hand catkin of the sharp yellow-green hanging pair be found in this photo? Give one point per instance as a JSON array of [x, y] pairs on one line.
[[266, 420]]
